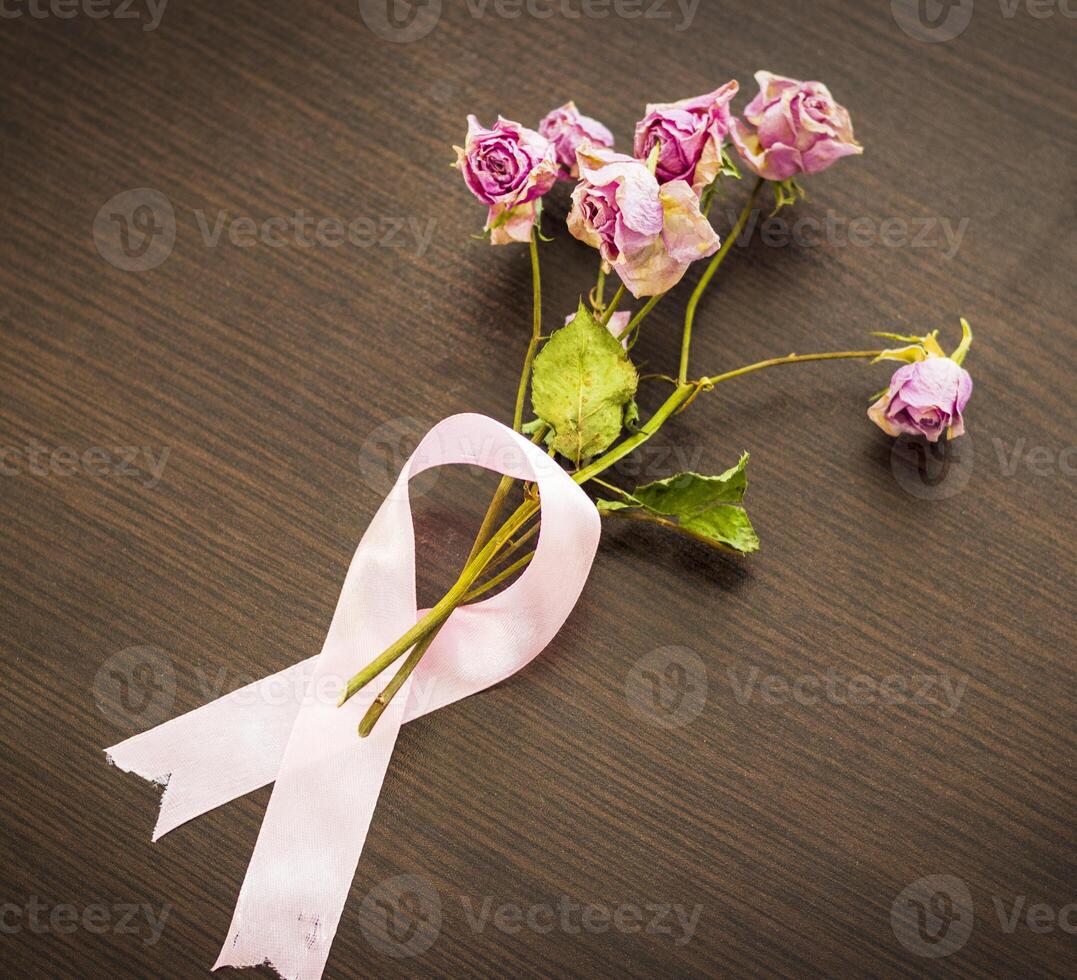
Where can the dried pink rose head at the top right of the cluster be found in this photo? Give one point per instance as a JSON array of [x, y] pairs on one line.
[[793, 128]]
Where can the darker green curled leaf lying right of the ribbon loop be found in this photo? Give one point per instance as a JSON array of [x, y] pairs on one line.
[[706, 508]]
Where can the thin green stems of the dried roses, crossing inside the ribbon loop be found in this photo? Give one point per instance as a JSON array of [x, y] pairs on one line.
[[491, 565]]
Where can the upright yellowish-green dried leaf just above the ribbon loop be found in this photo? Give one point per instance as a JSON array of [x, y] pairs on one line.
[[582, 386]]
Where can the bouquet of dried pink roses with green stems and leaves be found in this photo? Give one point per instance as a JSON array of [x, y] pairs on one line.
[[648, 216]]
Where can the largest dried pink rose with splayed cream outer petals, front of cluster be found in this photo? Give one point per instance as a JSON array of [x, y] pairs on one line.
[[650, 234]]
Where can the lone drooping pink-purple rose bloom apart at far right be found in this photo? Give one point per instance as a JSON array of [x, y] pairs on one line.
[[926, 398]]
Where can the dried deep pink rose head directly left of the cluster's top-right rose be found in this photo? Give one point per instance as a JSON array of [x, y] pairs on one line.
[[692, 133]]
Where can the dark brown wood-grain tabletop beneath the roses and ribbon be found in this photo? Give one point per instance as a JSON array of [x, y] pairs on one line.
[[885, 695]]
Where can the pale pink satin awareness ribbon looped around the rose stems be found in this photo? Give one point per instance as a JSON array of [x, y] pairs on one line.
[[287, 729]]
